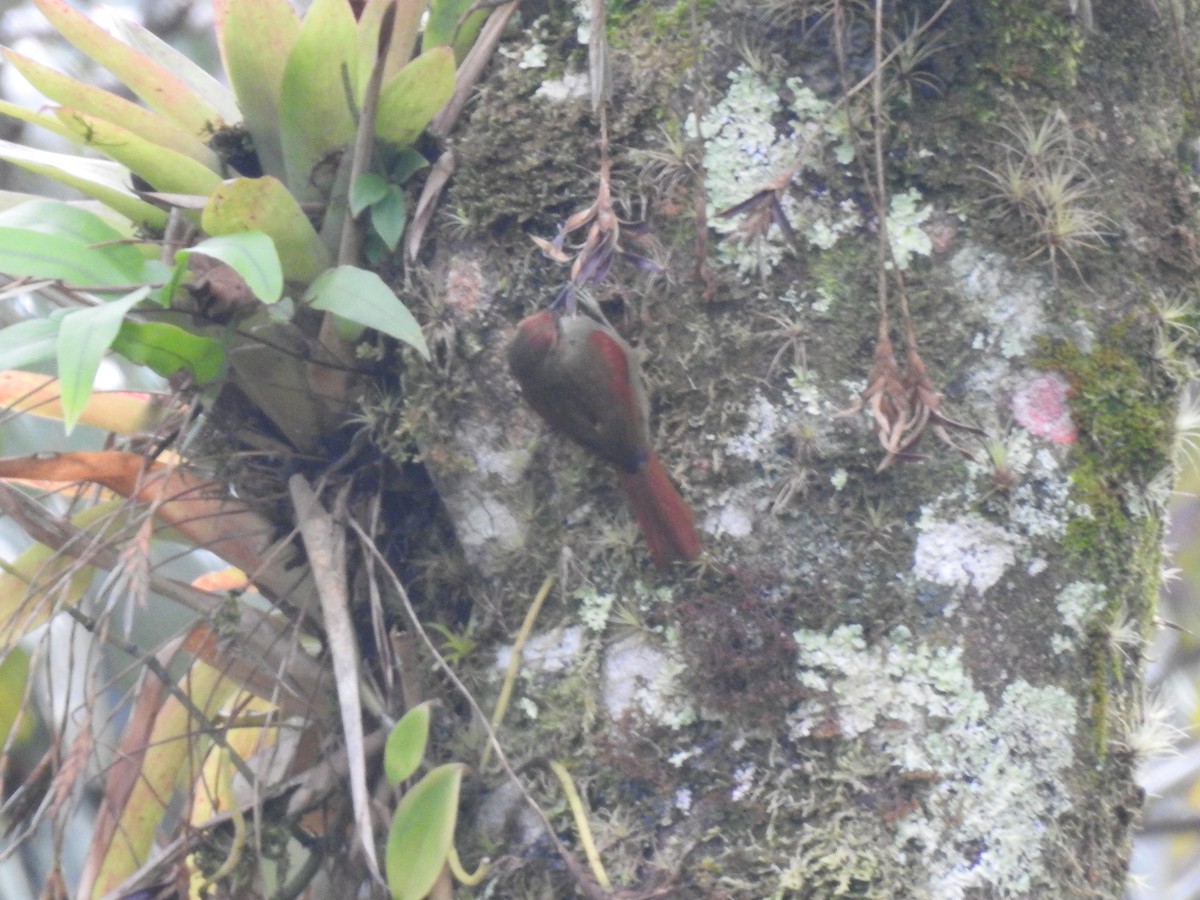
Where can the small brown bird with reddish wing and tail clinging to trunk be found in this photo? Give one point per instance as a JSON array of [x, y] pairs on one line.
[[585, 381]]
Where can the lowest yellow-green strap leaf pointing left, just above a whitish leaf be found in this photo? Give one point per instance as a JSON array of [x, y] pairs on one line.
[[164, 169]]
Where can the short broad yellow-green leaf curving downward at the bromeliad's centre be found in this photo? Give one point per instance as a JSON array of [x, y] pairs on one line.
[[265, 205]]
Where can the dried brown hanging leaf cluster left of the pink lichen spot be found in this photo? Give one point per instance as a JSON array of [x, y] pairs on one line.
[[904, 404]]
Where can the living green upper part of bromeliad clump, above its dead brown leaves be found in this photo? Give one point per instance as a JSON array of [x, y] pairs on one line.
[[286, 153]]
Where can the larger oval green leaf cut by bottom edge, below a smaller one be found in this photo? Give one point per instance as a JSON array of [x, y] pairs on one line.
[[423, 833]]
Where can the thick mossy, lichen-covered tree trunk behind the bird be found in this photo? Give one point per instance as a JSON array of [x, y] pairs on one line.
[[909, 662]]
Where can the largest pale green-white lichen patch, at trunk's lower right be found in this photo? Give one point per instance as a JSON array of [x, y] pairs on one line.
[[995, 775]]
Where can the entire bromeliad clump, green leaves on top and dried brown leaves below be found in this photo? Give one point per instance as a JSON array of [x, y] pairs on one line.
[[223, 247]]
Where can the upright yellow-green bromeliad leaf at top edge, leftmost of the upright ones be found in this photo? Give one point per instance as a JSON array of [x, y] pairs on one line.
[[256, 38]]
